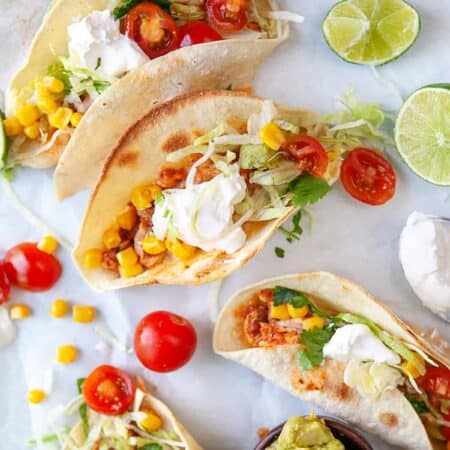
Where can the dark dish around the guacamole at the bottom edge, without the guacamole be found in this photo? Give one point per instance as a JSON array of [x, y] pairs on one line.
[[351, 439]]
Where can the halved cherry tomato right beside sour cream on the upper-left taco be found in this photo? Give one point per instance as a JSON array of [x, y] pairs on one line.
[[152, 29]]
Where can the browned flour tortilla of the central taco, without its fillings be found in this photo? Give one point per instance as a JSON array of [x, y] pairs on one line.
[[137, 160]]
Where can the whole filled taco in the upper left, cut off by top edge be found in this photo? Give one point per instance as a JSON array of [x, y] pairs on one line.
[[68, 94]]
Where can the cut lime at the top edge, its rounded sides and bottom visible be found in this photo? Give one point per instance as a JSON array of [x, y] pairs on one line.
[[371, 31]]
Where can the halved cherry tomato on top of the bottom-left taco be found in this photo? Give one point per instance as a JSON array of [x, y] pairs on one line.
[[108, 390]]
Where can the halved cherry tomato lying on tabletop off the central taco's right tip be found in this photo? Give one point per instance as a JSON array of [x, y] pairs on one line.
[[368, 176]]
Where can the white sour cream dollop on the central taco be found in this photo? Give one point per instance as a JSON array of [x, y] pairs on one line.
[[203, 214]]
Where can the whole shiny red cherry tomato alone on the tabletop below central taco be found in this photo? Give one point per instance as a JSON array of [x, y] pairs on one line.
[[164, 341]]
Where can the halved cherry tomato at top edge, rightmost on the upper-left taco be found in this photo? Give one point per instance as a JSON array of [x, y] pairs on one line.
[[227, 15]]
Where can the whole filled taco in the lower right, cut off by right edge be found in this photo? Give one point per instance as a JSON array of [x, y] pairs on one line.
[[329, 342]]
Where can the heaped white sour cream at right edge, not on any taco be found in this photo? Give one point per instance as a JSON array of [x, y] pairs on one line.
[[425, 256]]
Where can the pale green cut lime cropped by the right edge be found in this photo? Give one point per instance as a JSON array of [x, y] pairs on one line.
[[422, 133]]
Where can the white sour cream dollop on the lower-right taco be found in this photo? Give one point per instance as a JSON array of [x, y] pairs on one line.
[[357, 342]]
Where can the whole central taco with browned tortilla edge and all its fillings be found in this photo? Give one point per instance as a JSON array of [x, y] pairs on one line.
[[197, 187]]
